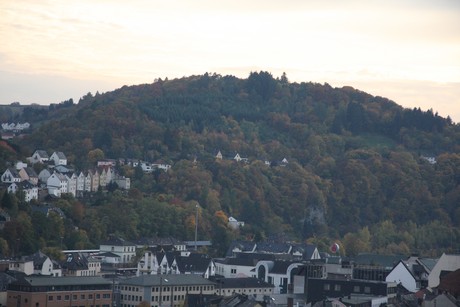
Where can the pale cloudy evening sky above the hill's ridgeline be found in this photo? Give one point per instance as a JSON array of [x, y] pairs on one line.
[[405, 50]]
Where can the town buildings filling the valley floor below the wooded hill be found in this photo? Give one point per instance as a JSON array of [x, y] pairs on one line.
[[168, 272]]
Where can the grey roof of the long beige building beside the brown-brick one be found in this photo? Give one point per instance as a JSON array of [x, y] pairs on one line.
[[170, 279]]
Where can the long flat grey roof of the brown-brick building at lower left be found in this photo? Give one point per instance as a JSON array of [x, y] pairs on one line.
[[64, 281]]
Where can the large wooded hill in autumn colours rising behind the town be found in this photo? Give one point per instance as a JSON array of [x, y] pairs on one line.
[[357, 170]]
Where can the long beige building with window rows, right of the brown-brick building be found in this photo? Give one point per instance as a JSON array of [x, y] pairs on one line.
[[163, 290]]
